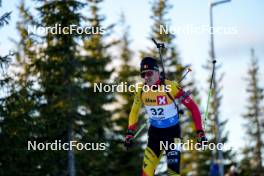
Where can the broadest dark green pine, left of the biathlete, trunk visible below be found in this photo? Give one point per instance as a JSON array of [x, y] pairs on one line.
[[59, 69]]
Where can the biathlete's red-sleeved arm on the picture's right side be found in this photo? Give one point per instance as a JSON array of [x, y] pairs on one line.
[[193, 108]]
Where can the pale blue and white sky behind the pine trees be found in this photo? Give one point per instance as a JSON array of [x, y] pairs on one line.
[[232, 49]]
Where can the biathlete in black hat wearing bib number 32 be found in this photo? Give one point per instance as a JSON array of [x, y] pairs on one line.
[[162, 108]]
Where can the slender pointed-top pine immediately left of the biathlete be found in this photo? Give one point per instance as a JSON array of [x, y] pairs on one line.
[[125, 162]]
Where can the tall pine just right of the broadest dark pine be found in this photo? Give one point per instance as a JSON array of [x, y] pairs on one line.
[[97, 122]]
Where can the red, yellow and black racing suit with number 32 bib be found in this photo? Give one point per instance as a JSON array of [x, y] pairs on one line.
[[164, 123]]
